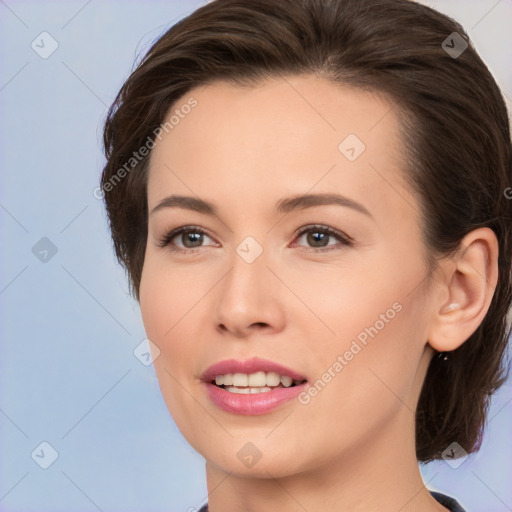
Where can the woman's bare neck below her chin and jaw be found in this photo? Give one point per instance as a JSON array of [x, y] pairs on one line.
[[381, 474]]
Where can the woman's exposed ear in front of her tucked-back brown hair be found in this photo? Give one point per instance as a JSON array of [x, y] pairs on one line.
[[467, 288]]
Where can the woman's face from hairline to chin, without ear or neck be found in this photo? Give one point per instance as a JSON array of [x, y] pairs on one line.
[[347, 310]]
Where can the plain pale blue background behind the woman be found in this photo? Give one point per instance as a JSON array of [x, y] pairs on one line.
[[68, 327]]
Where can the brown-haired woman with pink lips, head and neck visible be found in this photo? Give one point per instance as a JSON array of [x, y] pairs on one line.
[[310, 200]]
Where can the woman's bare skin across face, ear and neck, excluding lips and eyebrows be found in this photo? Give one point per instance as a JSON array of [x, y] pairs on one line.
[[352, 447]]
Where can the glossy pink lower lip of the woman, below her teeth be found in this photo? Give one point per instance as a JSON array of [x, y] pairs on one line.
[[252, 404]]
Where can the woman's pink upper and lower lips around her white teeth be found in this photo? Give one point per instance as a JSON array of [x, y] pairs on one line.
[[251, 404]]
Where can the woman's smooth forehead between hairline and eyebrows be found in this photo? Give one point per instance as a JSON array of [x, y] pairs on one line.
[[285, 135]]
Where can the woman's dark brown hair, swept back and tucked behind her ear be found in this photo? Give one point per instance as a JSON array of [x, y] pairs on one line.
[[456, 134]]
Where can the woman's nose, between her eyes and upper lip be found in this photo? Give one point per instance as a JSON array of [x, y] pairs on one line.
[[250, 299]]
